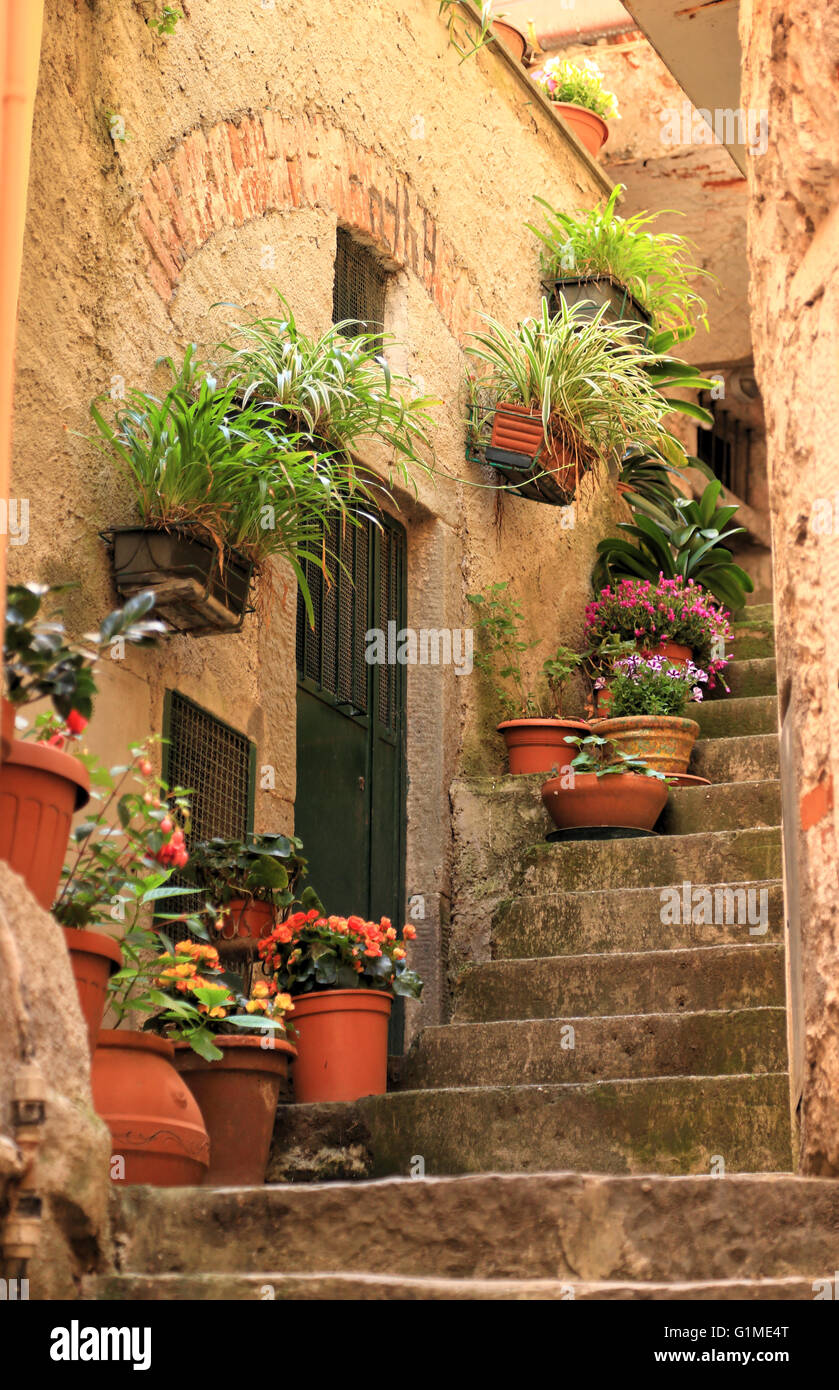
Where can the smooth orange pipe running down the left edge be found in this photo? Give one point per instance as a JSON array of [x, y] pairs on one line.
[[22, 24]]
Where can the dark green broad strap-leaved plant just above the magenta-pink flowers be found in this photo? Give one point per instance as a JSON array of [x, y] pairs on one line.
[[691, 547]]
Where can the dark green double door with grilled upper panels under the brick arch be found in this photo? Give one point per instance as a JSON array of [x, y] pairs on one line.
[[349, 808]]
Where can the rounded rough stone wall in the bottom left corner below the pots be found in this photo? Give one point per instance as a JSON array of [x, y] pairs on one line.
[[42, 1022]]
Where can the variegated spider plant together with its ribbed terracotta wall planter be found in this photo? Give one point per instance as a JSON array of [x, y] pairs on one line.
[[563, 394]]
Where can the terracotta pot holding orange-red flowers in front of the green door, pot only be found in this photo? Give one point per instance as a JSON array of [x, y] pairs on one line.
[[342, 1045]]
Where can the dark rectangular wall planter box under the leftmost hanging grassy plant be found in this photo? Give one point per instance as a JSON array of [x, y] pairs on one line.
[[195, 590]]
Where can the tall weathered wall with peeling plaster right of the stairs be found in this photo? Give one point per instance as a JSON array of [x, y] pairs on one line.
[[791, 55]]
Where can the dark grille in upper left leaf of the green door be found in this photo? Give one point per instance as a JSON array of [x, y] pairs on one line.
[[333, 653]]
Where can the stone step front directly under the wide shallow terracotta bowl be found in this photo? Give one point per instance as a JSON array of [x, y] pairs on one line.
[[712, 857]]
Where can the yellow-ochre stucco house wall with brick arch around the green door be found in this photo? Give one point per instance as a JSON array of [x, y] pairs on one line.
[[251, 134]]
